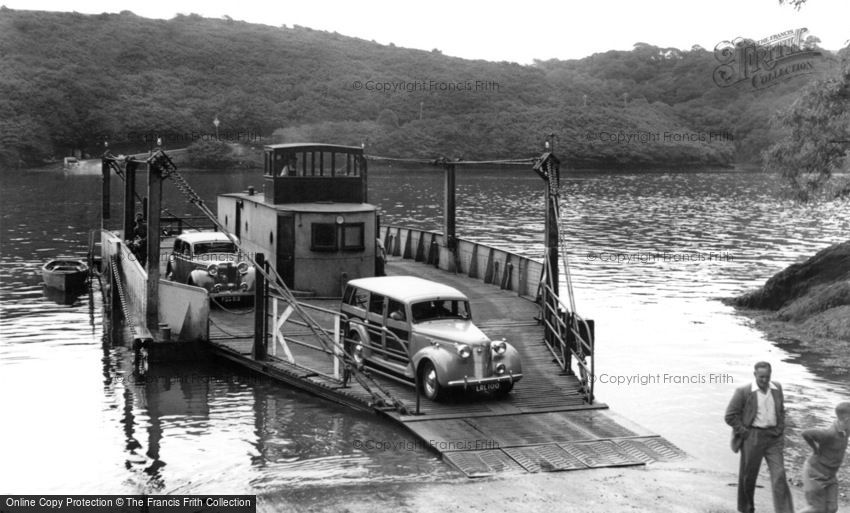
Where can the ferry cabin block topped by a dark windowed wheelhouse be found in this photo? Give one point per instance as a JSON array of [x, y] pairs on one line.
[[312, 220]]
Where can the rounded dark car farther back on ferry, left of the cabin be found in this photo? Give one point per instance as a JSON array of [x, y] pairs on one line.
[[212, 261]]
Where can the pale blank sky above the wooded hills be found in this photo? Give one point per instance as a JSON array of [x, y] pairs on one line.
[[515, 31]]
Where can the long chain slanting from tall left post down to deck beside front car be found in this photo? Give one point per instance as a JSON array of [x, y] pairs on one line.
[[165, 165]]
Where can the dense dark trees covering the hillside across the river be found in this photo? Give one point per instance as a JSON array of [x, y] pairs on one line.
[[69, 81]]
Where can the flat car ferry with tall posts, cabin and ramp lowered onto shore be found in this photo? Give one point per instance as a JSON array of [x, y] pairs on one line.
[[310, 233]]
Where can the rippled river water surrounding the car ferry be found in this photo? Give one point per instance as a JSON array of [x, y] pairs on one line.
[[650, 253]]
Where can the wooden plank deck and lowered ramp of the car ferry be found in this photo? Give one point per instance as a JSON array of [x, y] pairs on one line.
[[544, 424]]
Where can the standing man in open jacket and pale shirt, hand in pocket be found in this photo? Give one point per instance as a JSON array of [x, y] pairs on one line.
[[757, 416]]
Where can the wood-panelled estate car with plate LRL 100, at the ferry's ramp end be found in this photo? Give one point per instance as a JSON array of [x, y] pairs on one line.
[[416, 329]]
